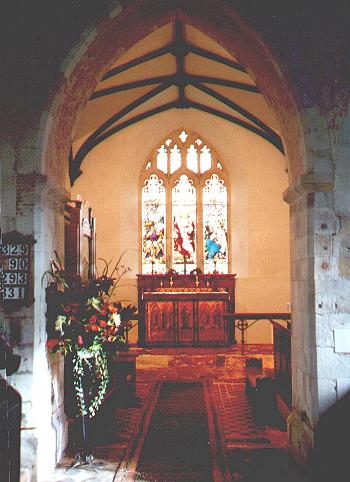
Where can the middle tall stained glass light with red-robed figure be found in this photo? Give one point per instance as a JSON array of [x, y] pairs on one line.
[[184, 225]]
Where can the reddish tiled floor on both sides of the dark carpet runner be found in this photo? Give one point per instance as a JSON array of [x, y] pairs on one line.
[[253, 447]]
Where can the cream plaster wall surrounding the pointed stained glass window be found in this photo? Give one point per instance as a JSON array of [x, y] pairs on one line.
[[258, 216]]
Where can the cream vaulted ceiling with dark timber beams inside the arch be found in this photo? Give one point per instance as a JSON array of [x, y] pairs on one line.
[[175, 67]]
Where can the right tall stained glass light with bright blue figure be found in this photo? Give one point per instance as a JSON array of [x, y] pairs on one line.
[[215, 225]]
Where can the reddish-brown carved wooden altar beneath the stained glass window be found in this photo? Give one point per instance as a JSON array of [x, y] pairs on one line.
[[185, 310]]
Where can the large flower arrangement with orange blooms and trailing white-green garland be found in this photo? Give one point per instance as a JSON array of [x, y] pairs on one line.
[[90, 327]]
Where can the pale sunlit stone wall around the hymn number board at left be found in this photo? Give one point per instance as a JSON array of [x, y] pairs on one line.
[[32, 206]]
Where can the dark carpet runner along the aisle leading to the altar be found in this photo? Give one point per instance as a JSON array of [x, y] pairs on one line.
[[177, 444]]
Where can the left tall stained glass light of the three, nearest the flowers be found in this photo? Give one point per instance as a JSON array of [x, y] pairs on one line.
[[153, 226]]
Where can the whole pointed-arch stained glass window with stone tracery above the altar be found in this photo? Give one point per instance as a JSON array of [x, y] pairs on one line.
[[184, 206]]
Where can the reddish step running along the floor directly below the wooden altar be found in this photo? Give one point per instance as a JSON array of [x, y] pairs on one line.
[[229, 358]]
